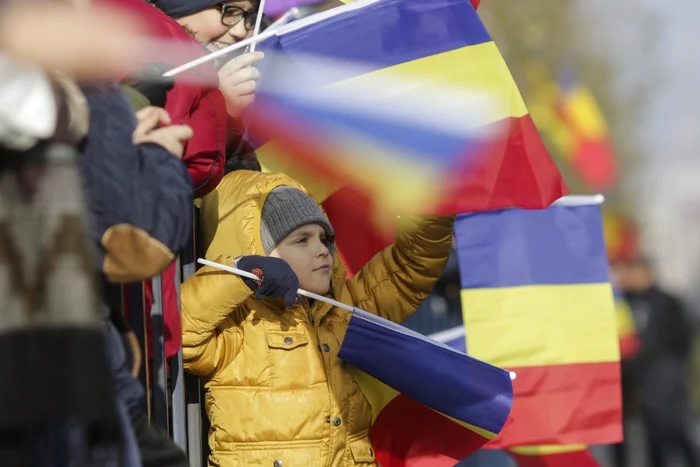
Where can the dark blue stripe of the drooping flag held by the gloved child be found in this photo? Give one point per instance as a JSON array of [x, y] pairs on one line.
[[429, 372]]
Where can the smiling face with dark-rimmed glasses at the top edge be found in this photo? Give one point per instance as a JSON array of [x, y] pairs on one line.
[[209, 29]]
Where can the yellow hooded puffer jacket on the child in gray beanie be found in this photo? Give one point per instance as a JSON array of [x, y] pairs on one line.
[[277, 393]]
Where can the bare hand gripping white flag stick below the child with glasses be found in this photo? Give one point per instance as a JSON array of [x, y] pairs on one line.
[[237, 82]]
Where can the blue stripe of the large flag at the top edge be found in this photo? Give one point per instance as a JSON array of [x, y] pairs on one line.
[[388, 33]]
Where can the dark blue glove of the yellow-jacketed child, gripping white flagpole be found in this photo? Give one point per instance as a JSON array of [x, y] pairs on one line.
[[277, 279]]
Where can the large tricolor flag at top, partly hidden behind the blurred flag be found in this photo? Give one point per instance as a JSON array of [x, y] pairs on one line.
[[435, 43]]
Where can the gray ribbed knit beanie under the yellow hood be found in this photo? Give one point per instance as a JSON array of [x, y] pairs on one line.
[[285, 210]]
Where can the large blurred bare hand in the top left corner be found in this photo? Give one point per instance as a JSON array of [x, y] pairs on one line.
[[85, 43]]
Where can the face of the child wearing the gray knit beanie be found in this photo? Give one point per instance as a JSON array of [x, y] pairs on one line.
[[307, 253]]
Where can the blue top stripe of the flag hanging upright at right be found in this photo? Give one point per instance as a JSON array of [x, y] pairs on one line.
[[516, 247]]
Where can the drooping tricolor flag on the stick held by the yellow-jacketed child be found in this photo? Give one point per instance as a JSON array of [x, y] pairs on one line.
[[434, 405]]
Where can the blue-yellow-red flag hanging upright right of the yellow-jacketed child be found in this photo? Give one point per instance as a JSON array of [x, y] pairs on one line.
[[537, 301]]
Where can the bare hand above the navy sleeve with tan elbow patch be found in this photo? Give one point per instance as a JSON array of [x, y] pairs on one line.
[[169, 136]]
